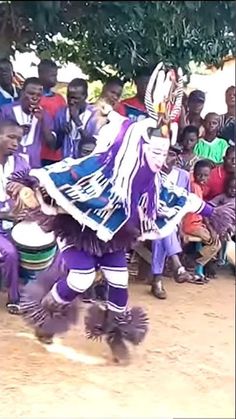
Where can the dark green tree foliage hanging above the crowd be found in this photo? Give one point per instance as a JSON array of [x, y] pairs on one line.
[[120, 35]]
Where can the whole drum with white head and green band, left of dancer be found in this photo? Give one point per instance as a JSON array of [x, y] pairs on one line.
[[36, 249]]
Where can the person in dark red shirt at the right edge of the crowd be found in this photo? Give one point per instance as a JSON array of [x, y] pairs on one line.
[[219, 175]]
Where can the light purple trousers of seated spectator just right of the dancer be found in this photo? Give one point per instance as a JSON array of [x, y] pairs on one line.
[[161, 249]]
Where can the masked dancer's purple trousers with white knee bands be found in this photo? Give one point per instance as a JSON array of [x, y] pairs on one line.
[[81, 267]]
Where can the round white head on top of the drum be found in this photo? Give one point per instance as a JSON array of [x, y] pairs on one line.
[[28, 235]]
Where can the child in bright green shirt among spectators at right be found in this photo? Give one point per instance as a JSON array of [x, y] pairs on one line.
[[210, 146]]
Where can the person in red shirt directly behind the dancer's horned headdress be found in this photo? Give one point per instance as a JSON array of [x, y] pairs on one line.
[[134, 107]]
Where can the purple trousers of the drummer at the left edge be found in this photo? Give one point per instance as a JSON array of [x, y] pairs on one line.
[[9, 265]]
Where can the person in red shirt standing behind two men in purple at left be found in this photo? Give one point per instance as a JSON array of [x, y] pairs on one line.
[[50, 102]]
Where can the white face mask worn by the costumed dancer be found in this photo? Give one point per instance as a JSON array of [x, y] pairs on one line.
[[156, 152]]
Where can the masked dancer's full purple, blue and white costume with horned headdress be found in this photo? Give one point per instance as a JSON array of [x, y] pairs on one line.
[[102, 204]]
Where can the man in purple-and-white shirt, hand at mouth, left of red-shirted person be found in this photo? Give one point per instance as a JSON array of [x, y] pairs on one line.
[[35, 122]]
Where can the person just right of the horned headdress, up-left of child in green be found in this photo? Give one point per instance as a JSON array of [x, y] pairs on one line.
[[195, 104]]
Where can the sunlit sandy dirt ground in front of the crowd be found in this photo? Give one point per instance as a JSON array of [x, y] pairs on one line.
[[184, 369]]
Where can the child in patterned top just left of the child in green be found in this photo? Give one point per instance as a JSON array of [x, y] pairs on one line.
[[187, 159]]
